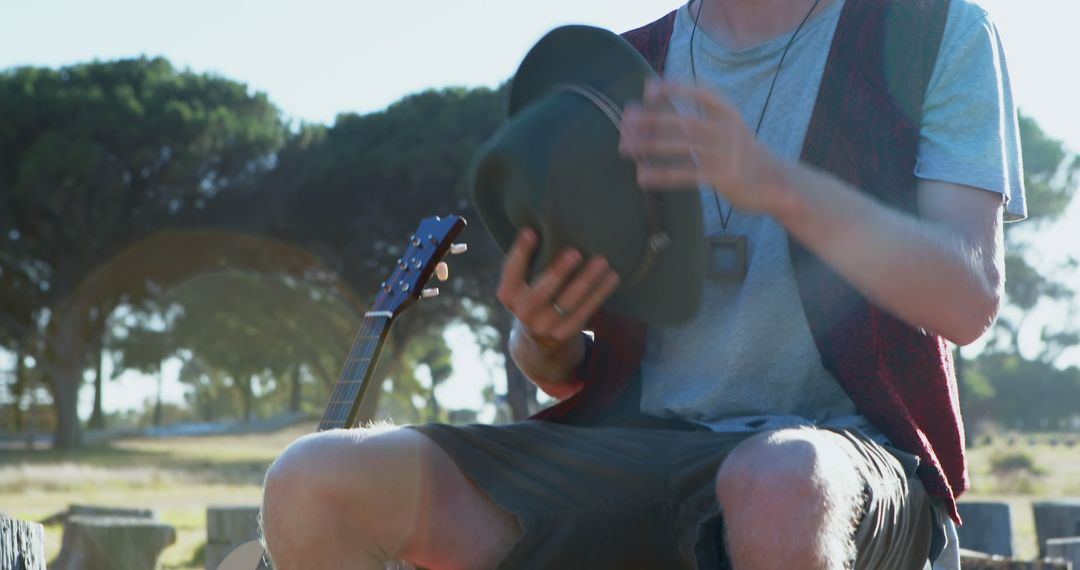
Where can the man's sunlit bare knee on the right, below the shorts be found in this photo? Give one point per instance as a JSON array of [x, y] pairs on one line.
[[790, 500]]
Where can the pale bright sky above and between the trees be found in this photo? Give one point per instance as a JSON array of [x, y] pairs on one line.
[[319, 59]]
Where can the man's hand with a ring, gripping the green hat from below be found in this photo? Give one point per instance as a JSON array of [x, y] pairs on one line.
[[552, 311]]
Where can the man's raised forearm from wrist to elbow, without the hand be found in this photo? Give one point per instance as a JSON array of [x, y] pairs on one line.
[[929, 275]]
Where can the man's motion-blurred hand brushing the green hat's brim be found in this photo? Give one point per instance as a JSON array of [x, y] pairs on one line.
[[680, 152]]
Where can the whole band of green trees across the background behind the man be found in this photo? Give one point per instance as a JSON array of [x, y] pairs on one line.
[[248, 250]]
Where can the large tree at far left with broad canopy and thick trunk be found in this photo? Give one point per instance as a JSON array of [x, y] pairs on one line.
[[96, 158]]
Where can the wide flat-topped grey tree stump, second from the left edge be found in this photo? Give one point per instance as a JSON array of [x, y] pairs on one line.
[[113, 544]]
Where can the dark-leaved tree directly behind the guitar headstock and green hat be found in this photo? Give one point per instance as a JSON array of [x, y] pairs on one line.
[[356, 191]]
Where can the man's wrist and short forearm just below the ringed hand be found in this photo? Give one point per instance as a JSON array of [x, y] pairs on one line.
[[550, 369]]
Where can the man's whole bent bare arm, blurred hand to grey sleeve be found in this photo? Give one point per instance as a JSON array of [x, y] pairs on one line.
[[941, 270]]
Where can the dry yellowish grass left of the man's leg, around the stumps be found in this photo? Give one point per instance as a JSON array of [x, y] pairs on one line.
[[179, 478]]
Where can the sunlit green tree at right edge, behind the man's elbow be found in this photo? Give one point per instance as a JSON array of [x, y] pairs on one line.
[[1004, 384]]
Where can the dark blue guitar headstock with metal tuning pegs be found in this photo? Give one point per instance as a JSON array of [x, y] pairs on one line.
[[431, 241]]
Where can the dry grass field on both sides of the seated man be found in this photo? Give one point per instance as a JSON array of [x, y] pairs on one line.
[[180, 478]]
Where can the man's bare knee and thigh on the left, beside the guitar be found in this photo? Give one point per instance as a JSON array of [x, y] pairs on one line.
[[353, 499]]
